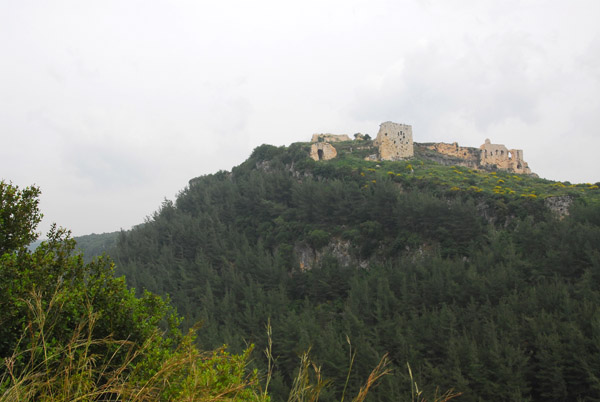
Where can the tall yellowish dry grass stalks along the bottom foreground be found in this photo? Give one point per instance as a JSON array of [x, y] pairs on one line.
[[42, 370]]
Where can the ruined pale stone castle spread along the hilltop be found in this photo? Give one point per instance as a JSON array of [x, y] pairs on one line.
[[394, 142]]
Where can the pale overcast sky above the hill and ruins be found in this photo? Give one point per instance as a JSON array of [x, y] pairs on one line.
[[111, 106]]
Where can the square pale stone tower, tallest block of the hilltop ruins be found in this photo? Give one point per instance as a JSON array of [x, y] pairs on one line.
[[394, 141]]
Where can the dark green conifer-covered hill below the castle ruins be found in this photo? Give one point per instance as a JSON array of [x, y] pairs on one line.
[[466, 275]]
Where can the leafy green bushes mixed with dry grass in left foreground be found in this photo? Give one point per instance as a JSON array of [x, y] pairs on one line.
[[73, 331]]
